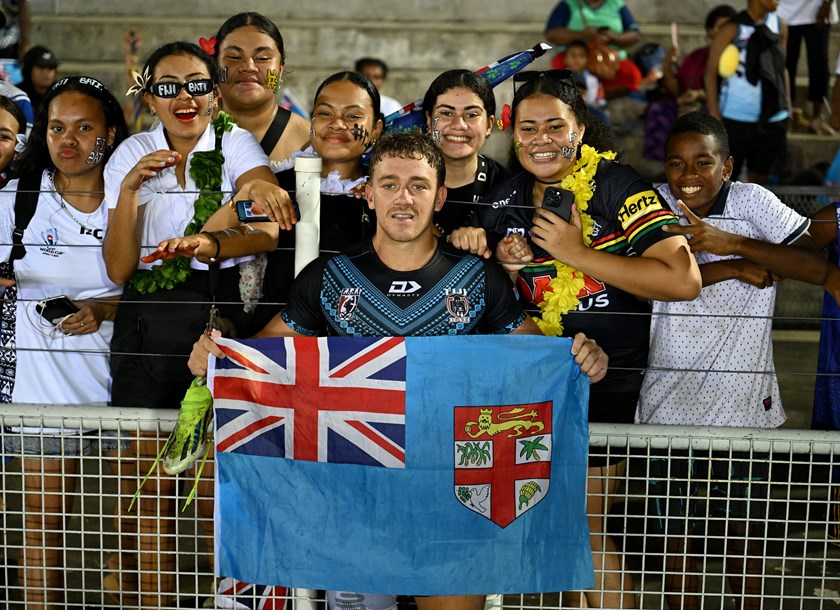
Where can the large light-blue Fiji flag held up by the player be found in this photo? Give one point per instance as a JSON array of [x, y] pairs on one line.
[[420, 465]]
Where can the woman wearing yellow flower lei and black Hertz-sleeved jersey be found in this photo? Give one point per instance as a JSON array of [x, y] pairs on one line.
[[610, 257]]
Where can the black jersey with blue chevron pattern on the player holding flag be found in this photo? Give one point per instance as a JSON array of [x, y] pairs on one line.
[[355, 294]]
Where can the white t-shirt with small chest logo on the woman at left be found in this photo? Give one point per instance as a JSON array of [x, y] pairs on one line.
[[58, 369]]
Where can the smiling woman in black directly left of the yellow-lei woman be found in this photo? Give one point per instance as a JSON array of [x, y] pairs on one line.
[[460, 108]]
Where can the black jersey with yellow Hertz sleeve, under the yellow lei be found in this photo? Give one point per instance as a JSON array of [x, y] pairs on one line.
[[628, 219]]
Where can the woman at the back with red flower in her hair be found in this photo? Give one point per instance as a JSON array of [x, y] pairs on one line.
[[250, 53]]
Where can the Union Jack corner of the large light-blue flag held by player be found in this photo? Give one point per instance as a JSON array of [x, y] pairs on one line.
[[332, 399]]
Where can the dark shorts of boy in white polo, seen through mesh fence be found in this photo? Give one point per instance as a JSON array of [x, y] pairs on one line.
[[738, 487]]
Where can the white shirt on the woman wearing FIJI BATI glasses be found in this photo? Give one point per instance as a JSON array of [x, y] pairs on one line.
[[169, 208]]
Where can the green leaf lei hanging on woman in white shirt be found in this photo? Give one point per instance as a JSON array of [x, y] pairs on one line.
[[206, 171]]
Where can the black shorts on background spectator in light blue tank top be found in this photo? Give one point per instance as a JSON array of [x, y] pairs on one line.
[[762, 147]]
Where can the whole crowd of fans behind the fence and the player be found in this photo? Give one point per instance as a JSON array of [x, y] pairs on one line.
[[141, 236]]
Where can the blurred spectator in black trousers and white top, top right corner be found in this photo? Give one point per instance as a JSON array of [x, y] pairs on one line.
[[810, 20]]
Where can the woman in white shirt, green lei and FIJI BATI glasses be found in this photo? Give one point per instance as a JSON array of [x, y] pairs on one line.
[[165, 182]]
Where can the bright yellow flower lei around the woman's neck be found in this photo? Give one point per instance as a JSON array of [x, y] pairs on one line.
[[564, 289]]
